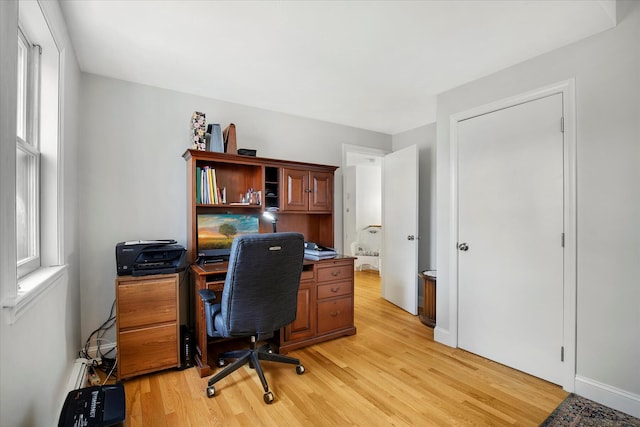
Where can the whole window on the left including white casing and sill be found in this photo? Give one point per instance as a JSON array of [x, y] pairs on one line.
[[37, 248]]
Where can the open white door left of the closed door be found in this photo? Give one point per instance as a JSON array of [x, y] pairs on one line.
[[400, 229]]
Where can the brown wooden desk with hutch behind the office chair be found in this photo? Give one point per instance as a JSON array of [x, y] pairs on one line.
[[301, 196]]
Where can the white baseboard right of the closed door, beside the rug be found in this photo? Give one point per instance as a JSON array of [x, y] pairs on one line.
[[604, 394]]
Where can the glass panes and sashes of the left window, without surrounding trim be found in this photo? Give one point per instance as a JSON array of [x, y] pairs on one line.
[[28, 157]]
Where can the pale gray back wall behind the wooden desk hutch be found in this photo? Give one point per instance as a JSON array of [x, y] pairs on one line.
[[132, 175]]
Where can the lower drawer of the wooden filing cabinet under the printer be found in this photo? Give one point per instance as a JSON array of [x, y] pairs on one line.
[[147, 349]]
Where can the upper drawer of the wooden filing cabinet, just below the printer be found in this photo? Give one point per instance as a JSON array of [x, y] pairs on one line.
[[146, 302]]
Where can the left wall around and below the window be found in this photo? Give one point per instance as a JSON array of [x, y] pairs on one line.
[[37, 350]]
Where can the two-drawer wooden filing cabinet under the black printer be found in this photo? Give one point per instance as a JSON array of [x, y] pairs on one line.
[[147, 323]]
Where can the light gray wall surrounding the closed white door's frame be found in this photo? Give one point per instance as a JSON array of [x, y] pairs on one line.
[[606, 68]]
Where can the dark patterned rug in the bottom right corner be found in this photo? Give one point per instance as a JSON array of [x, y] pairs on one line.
[[579, 411]]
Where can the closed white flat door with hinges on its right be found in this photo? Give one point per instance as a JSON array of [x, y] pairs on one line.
[[510, 234]]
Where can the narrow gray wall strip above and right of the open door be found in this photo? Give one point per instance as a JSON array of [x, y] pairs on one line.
[[425, 138]]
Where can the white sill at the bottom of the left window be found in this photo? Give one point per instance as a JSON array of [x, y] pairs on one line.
[[32, 286]]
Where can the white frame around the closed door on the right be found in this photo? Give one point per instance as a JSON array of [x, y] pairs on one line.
[[567, 88]]
